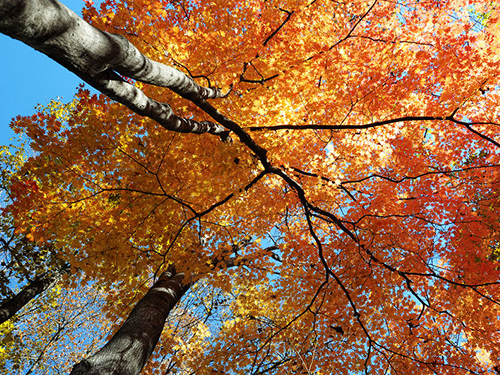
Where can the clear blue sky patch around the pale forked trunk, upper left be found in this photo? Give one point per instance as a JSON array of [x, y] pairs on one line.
[[28, 78]]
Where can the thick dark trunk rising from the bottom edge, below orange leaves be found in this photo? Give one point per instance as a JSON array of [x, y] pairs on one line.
[[129, 349]]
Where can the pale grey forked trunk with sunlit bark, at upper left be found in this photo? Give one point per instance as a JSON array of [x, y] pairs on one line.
[[99, 58]]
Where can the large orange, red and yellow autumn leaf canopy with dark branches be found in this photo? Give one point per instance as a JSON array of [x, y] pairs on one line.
[[364, 171]]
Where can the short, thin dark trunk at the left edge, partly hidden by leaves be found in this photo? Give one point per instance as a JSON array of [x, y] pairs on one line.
[[9, 308]]
